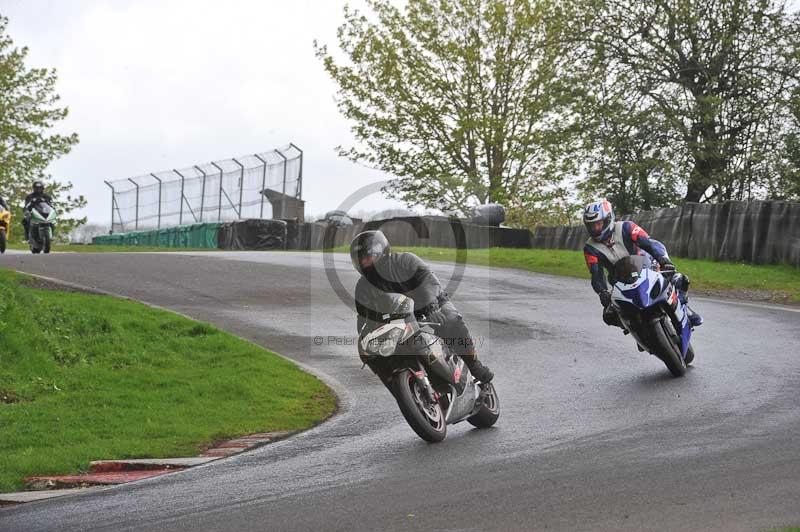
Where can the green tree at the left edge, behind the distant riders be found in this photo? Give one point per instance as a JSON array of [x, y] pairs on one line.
[[28, 112]]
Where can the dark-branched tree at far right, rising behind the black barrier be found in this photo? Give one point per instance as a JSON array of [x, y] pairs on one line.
[[716, 75]]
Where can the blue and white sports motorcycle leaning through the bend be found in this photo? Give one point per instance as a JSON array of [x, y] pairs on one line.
[[653, 311]]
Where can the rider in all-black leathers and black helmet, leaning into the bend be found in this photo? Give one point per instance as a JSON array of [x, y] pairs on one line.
[[383, 272]]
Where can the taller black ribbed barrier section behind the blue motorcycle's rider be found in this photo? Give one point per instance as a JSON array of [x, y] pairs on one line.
[[761, 232]]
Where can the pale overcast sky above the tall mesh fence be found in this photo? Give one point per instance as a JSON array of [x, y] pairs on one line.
[[160, 84]]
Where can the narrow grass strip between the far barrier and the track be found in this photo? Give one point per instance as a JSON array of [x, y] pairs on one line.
[[776, 283]]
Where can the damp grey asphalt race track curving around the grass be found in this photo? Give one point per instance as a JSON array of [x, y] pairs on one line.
[[593, 435]]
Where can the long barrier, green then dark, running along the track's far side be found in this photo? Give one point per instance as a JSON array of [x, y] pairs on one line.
[[761, 232]]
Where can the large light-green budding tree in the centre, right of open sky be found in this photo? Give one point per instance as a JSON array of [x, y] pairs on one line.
[[463, 100]]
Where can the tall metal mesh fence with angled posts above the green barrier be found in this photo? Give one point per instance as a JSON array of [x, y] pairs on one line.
[[260, 185]]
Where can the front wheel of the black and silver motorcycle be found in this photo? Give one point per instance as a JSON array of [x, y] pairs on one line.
[[426, 419]]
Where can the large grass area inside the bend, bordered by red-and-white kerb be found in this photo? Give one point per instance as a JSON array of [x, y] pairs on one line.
[[86, 377]]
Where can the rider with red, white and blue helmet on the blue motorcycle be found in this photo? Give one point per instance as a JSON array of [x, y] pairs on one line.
[[610, 241]]
